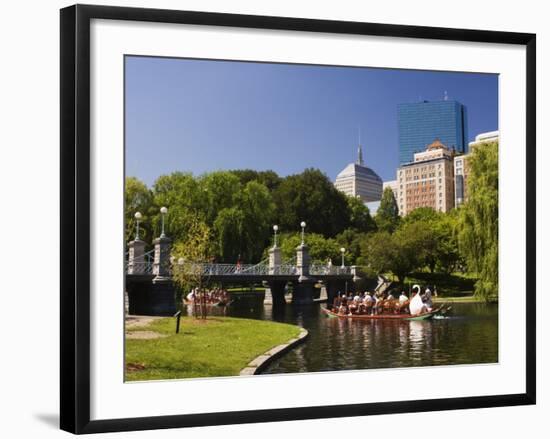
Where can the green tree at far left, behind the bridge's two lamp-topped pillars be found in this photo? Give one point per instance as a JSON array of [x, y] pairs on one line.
[[137, 198]]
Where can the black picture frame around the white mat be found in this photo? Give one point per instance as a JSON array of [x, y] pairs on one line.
[[75, 217]]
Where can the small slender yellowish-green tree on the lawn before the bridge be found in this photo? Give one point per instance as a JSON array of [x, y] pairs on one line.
[[189, 257]]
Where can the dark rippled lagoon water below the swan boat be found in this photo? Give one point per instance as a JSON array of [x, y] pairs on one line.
[[468, 336]]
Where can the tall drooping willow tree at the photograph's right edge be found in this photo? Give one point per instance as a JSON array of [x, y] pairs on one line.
[[478, 222]]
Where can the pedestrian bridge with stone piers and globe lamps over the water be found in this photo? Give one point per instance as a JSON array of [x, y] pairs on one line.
[[150, 287]]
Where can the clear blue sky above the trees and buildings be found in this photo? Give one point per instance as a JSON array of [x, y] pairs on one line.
[[199, 115]]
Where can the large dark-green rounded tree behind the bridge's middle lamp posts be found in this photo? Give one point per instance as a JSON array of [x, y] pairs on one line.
[[311, 197]]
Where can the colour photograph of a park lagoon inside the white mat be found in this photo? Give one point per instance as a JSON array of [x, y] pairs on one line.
[[293, 218]]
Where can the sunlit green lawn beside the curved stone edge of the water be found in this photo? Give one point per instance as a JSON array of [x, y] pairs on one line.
[[218, 346]]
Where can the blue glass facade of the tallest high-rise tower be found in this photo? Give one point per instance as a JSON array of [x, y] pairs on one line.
[[420, 123]]
